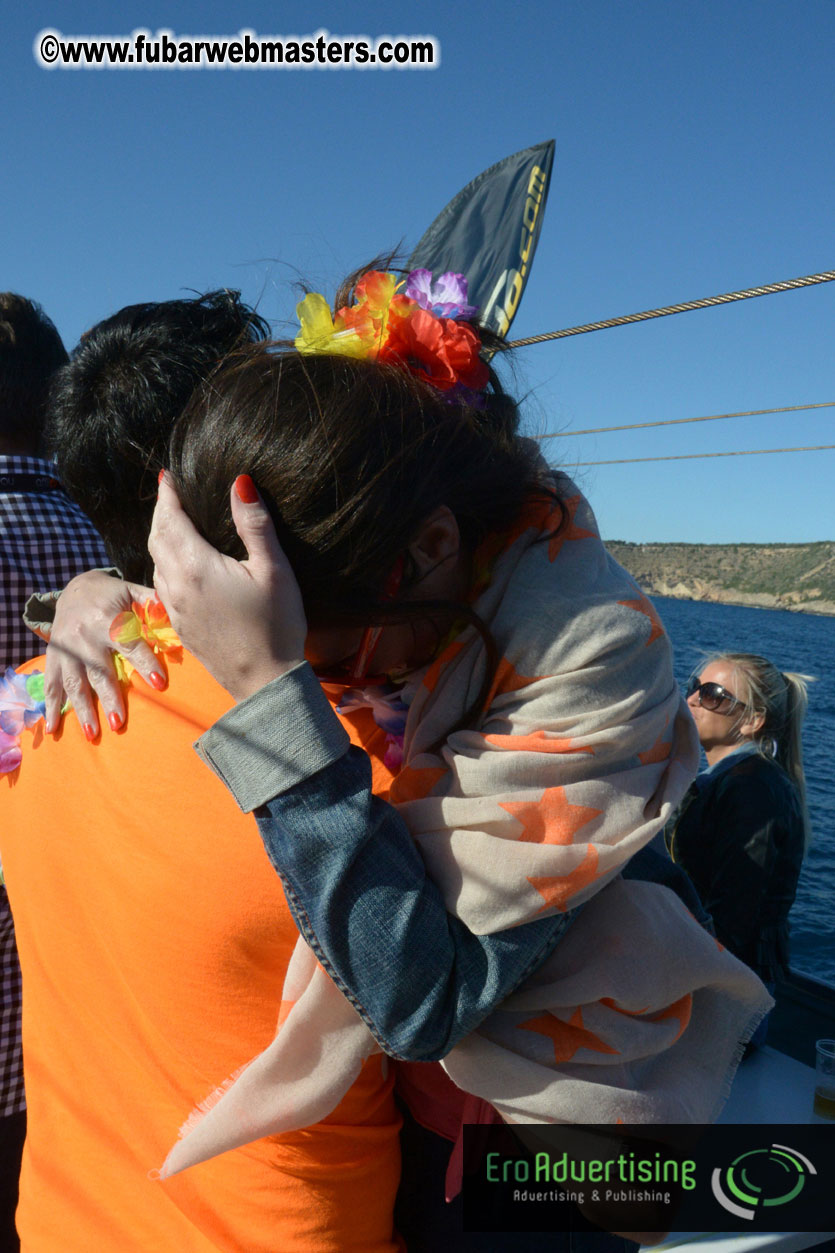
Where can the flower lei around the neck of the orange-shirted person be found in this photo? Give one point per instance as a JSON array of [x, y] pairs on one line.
[[22, 696]]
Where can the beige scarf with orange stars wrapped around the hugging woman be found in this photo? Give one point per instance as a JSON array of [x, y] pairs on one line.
[[586, 749]]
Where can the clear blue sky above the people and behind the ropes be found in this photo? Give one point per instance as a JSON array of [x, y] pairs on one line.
[[695, 156]]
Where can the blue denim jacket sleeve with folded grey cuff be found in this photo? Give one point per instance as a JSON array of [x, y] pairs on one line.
[[354, 878]]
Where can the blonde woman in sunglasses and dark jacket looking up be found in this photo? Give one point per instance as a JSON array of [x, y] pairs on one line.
[[743, 835]]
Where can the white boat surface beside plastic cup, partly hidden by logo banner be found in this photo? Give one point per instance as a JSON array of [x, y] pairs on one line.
[[769, 1088]]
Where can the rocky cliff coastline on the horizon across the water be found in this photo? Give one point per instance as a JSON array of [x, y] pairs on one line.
[[772, 576]]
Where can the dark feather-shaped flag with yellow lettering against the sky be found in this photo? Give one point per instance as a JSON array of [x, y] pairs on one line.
[[490, 234]]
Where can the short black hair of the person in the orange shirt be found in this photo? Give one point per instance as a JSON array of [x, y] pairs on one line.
[[115, 405]]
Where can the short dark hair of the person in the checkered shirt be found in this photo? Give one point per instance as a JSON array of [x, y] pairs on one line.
[[31, 353]]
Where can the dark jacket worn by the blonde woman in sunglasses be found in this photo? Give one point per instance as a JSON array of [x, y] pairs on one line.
[[740, 838]]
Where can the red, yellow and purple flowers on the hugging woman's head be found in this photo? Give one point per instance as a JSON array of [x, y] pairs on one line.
[[418, 329]]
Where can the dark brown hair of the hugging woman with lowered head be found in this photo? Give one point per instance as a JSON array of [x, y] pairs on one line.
[[350, 457]]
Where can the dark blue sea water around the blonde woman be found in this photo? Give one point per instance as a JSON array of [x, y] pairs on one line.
[[794, 642]]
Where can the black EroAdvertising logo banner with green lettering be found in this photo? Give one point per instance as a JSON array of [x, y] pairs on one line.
[[649, 1178]]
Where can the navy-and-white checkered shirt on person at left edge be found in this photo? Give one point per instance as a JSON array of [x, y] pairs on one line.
[[45, 542]]
